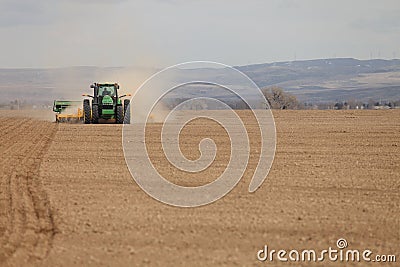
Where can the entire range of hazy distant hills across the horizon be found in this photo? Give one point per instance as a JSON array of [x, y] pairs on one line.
[[321, 80]]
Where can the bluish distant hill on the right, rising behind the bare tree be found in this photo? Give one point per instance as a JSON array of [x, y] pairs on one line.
[[331, 79]]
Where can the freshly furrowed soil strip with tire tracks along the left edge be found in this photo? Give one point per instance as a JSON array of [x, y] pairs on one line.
[[26, 221]]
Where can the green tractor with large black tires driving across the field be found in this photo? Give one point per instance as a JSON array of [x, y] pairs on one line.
[[106, 105]]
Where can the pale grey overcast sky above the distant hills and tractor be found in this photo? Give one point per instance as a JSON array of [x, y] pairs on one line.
[[157, 33]]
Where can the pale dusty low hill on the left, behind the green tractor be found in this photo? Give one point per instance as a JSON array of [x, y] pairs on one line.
[[45, 85]]
